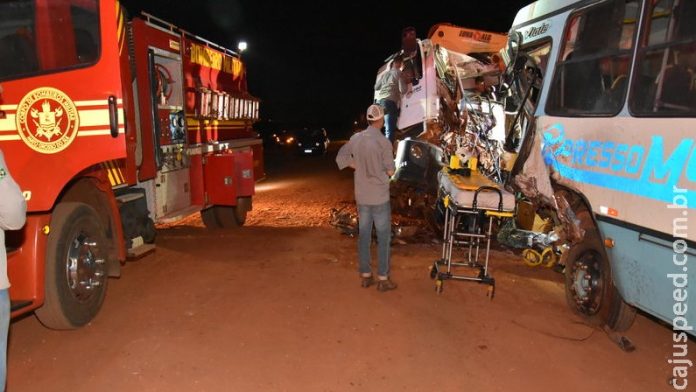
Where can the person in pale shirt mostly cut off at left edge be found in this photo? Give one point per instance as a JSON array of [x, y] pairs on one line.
[[13, 211]]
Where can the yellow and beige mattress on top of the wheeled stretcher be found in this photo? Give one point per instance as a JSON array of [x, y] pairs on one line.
[[462, 189]]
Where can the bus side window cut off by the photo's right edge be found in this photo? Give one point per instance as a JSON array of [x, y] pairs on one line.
[[664, 82]]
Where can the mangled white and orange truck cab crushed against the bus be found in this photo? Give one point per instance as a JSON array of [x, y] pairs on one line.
[[443, 113]]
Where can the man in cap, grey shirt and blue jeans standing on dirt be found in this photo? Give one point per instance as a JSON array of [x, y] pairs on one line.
[[371, 155]]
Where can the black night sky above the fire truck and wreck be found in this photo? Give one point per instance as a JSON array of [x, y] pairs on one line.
[[314, 63]]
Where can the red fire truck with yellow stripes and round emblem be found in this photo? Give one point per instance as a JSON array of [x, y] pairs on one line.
[[111, 126]]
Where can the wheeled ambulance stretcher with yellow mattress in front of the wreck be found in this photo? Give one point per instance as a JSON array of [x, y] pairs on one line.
[[471, 204]]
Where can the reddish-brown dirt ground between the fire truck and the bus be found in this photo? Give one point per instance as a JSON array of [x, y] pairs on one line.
[[277, 306]]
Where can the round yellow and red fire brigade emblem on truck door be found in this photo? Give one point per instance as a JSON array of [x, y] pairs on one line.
[[47, 120]]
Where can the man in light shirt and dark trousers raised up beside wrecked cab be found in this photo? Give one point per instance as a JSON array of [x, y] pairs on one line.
[[388, 91]]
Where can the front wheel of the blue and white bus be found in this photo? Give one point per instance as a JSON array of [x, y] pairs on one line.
[[590, 291]]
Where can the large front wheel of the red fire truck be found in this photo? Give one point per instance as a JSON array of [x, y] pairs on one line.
[[76, 278]]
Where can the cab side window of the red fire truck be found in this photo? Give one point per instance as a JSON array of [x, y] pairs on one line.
[[41, 36]]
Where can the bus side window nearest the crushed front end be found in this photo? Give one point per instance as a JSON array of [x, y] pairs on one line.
[[591, 76]]
